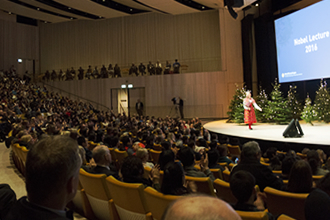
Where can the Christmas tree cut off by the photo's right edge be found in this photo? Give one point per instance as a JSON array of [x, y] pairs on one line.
[[322, 103]]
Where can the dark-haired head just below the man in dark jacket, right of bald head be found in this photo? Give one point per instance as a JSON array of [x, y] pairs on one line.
[[242, 185]]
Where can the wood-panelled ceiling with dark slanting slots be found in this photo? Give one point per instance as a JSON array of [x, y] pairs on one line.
[[54, 11]]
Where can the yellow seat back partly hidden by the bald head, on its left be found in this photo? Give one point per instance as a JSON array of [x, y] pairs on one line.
[[157, 202]]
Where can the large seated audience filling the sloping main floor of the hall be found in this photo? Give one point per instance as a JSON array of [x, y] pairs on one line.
[[34, 117]]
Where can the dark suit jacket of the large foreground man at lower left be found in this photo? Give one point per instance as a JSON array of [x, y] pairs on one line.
[[25, 210]]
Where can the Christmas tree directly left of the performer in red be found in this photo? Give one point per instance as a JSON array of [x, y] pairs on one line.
[[236, 109]]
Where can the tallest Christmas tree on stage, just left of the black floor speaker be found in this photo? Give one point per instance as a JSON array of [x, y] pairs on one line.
[[277, 111]]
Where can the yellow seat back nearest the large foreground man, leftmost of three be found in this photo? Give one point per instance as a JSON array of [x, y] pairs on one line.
[[96, 202]]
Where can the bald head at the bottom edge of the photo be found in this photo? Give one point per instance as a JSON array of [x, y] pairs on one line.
[[195, 207]]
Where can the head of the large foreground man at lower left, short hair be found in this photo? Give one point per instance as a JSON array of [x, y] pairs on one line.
[[52, 171]]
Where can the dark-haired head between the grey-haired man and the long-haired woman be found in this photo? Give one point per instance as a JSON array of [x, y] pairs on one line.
[[131, 168]]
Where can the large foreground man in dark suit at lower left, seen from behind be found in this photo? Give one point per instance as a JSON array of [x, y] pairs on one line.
[[52, 176]]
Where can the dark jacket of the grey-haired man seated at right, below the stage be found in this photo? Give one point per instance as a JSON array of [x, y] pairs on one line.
[[263, 175]]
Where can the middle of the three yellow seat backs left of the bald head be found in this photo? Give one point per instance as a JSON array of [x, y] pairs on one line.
[[124, 194]]
